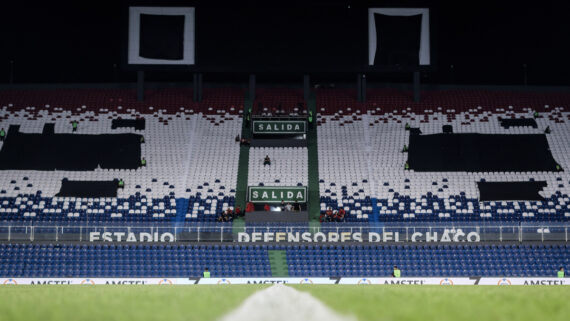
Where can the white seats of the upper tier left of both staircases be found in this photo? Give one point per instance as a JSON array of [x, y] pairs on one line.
[[190, 150]]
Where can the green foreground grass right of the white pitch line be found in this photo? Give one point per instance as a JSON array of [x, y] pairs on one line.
[[445, 303]]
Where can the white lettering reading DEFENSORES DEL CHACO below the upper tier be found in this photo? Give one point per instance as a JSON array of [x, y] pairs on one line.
[[371, 237]]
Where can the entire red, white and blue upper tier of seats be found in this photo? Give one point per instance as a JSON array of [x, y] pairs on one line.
[[360, 158]]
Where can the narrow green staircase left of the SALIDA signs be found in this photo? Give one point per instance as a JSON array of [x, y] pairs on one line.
[[243, 167]]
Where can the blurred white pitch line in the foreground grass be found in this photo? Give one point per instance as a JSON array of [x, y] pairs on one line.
[[283, 303]]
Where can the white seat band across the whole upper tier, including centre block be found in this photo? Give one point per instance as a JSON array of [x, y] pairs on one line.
[[195, 157]]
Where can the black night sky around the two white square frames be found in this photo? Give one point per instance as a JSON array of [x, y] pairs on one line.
[[80, 41]]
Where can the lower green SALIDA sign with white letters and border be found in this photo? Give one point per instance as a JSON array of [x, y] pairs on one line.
[[272, 194]]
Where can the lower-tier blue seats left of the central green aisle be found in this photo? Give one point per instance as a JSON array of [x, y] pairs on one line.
[[131, 261]]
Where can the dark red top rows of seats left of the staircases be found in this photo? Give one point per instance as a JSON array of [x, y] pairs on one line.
[[164, 104]]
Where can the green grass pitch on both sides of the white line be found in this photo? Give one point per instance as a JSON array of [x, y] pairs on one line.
[[382, 302]]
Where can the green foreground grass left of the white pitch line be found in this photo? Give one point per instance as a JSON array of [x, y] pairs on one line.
[[120, 302]]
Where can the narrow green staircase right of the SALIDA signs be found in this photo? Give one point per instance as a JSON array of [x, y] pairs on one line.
[[314, 199]]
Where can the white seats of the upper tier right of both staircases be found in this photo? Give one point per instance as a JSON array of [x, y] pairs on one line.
[[369, 149]]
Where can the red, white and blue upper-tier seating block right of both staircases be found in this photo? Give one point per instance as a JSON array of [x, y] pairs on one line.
[[363, 162]]
